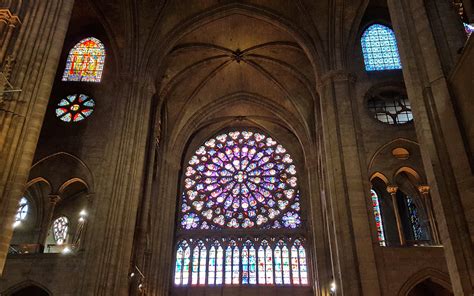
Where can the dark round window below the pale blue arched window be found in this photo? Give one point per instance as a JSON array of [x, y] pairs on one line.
[[390, 106]]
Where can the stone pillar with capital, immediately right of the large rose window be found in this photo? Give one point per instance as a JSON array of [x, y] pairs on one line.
[[351, 230]]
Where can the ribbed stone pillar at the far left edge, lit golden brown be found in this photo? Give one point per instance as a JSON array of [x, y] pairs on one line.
[[36, 49]]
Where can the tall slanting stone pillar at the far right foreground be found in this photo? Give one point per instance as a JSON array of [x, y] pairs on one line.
[[444, 156]]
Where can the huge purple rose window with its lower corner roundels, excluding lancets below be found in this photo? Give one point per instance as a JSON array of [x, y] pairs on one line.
[[240, 179]]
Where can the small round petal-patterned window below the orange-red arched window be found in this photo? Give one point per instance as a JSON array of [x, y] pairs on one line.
[[75, 108]]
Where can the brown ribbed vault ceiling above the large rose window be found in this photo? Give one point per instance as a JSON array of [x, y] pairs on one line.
[[238, 68]]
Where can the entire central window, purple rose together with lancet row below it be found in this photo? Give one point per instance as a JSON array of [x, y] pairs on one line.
[[240, 180]]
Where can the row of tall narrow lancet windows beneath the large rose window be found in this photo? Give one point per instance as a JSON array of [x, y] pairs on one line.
[[241, 262]]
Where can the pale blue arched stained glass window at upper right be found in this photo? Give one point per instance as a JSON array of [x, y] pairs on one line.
[[379, 47]]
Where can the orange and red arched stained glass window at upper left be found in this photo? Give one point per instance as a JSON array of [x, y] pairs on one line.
[[85, 61]]
